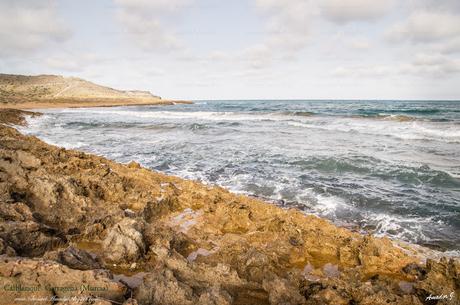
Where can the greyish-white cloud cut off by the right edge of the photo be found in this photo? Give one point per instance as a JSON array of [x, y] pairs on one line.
[[425, 26]]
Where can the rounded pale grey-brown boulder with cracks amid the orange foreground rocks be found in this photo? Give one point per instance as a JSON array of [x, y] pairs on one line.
[[124, 242]]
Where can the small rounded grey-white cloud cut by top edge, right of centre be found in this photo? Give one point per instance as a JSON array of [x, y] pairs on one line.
[[341, 11]]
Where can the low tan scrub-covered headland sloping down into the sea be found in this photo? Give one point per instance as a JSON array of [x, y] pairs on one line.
[[48, 91]]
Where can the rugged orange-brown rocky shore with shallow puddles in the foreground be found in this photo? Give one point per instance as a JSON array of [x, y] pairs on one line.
[[81, 229]]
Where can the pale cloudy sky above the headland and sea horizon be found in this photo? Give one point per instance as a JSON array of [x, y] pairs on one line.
[[241, 49]]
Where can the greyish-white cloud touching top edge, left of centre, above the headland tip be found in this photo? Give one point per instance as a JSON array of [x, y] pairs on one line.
[[143, 21]]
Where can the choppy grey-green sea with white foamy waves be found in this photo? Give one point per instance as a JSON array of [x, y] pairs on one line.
[[389, 167]]
